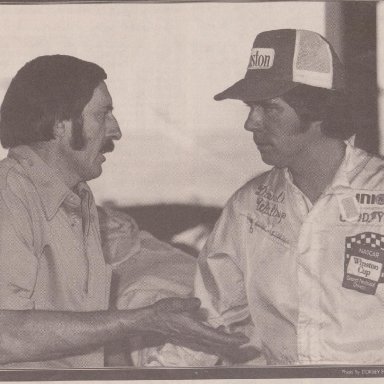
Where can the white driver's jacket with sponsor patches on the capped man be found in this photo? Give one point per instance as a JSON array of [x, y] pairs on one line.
[[309, 278]]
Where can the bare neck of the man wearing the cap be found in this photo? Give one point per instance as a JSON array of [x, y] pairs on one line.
[[315, 171]]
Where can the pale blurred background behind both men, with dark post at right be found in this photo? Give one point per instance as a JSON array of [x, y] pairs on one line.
[[182, 154]]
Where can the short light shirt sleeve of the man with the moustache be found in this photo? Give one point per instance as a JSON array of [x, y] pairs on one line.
[[18, 259]]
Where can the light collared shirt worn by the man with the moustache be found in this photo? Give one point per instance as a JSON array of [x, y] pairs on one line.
[[50, 247]]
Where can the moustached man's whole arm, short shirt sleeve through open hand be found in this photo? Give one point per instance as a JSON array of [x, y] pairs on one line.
[[35, 335]]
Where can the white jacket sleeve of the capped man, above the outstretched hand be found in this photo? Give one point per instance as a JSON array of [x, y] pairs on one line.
[[219, 281]]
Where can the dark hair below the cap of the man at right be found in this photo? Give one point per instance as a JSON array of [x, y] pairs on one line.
[[319, 104]]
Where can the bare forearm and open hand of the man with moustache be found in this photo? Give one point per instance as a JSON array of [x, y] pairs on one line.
[[45, 335]]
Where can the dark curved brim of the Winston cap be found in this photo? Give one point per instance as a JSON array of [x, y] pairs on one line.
[[256, 90]]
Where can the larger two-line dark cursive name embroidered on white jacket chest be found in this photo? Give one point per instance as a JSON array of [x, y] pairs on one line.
[[268, 202]]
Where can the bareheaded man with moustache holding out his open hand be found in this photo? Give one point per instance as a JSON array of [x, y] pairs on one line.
[[57, 120]]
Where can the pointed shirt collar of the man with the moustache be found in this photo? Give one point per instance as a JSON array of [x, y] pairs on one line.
[[50, 187]]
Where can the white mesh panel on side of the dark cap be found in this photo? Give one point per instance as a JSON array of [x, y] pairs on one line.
[[312, 61]]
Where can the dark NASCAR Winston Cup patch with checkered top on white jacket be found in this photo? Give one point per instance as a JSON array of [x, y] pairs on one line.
[[363, 264]]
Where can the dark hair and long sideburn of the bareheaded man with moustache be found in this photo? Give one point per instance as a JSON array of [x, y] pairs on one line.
[[44, 91]]
